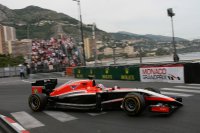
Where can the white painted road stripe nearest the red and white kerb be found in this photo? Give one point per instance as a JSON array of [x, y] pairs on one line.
[[26, 120]]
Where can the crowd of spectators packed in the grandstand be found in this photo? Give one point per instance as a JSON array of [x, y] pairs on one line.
[[48, 54]]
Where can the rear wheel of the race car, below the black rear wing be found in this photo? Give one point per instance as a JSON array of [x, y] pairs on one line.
[[37, 102]]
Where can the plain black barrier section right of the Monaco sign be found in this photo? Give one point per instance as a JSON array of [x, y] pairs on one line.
[[192, 73]]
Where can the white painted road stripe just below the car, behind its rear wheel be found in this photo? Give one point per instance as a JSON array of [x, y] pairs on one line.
[[60, 116]]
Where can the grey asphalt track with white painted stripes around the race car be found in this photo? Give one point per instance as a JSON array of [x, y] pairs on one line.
[[14, 95]]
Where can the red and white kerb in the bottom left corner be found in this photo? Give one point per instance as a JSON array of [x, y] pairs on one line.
[[17, 127]]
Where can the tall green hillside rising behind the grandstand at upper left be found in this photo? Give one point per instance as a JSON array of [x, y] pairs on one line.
[[35, 22]]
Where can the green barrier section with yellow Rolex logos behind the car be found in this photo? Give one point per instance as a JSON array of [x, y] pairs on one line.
[[109, 72]]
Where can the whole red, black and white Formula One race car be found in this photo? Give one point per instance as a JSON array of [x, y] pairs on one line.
[[87, 94]]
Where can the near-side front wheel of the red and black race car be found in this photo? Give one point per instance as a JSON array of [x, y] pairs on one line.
[[133, 104]]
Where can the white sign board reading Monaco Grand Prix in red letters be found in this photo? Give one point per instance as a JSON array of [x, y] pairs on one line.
[[168, 73]]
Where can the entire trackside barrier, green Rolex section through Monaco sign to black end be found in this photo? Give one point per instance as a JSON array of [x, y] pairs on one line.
[[172, 72]]
